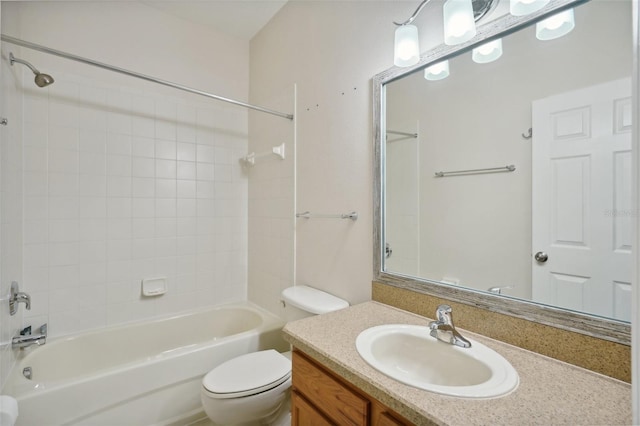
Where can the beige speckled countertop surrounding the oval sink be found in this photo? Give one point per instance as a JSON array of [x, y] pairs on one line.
[[550, 392]]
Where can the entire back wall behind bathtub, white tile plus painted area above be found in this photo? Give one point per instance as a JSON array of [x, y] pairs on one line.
[[126, 179]]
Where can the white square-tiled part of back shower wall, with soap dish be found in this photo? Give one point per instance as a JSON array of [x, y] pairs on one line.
[[124, 184]]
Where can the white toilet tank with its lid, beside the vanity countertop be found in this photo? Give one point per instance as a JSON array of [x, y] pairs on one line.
[[302, 301]]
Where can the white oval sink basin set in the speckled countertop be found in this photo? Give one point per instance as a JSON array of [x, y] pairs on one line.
[[408, 354]]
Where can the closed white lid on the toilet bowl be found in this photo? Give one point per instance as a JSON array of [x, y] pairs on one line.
[[248, 374]]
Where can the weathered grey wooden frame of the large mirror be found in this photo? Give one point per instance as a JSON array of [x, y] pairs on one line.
[[599, 327]]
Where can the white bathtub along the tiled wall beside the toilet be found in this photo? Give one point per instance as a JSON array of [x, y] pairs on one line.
[[146, 373]]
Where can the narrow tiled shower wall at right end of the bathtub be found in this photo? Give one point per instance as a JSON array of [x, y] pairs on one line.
[[272, 202]]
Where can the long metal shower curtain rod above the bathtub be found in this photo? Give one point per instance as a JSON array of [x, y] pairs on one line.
[[76, 58]]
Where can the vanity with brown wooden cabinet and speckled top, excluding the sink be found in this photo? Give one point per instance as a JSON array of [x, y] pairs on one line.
[[330, 379]]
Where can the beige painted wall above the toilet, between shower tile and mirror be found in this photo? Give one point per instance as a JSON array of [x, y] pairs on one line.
[[330, 50]]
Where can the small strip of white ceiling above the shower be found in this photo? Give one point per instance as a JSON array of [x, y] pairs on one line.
[[238, 18]]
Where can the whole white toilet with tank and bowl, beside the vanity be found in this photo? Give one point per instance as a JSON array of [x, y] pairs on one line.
[[253, 389]]
